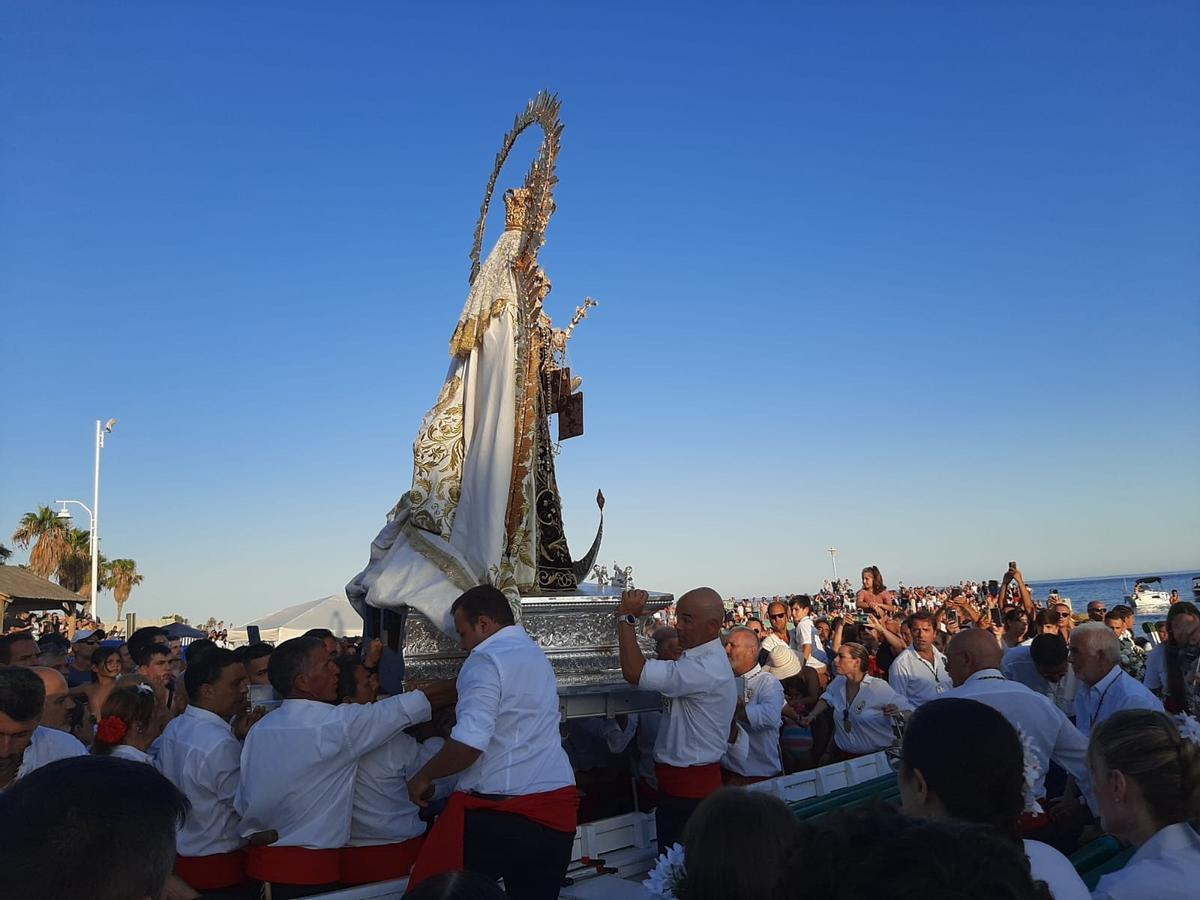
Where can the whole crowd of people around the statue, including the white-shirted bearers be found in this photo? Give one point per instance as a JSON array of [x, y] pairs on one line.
[[1018, 735]]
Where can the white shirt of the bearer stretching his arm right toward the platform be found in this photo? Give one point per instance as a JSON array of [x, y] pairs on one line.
[[299, 761]]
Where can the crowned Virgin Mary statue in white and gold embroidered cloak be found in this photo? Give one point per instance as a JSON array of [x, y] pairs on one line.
[[484, 506]]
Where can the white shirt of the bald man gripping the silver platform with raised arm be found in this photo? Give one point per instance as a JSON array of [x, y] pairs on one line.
[[699, 699]]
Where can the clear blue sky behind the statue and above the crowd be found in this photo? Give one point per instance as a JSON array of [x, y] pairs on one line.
[[920, 281]]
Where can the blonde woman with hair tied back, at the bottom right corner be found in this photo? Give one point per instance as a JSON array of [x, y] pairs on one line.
[[1147, 776]]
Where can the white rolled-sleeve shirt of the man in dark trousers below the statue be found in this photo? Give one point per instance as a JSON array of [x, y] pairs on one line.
[[508, 709]]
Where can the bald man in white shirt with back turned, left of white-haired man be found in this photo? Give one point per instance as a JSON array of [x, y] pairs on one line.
[[973, 659]]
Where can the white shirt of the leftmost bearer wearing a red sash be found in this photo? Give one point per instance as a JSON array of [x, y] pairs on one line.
[[200, 755]]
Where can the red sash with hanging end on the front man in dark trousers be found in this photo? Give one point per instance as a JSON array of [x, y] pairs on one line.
[[443, 850]]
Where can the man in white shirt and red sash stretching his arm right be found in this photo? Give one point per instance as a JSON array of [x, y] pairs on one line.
[[298, 766]]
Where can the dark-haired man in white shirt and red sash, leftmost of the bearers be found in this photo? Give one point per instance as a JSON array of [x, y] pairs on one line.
[[201, 755]]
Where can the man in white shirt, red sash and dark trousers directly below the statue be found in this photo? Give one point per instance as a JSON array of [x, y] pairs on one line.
[[515, 811]]
